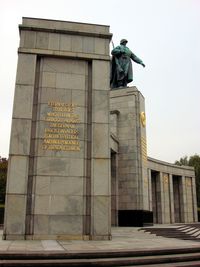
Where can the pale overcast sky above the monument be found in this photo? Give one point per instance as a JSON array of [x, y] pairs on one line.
[[163, 33]]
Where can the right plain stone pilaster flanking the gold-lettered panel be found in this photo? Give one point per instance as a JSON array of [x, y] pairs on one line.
[[100, 163]]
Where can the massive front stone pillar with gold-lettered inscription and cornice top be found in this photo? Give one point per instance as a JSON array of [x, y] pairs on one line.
[[59, 163]]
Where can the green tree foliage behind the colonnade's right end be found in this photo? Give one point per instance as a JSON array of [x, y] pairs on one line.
[[193, 161]]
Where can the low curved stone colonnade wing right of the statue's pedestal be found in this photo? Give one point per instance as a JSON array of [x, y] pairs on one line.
[[174, 200]]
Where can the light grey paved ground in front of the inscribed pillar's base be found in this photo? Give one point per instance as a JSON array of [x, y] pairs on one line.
[[123, 238]]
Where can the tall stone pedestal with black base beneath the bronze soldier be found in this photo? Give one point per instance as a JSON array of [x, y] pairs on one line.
[[132, 155]]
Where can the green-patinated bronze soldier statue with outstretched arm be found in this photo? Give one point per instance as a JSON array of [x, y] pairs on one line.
[[121, 66]]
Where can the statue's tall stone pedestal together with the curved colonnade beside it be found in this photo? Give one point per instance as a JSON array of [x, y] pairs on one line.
[[144, 190]]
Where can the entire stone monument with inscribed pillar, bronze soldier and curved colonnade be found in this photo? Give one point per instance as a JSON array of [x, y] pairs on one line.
[[78, 151]]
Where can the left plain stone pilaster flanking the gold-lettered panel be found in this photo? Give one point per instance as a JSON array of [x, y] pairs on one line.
[[18, 167]]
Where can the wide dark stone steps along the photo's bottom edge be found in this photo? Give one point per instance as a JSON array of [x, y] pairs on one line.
[[164, 257]]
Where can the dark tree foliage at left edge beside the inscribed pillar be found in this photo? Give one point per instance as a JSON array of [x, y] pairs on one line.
[[3, 177]]
